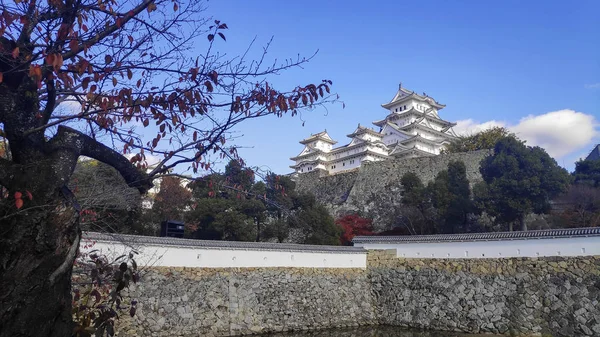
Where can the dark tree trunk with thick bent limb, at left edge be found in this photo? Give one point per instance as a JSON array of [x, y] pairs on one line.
[[39, 241]]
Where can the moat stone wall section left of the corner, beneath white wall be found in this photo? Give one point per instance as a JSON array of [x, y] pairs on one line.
[[224, 302]]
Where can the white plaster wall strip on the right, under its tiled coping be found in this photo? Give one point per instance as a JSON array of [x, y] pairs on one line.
[[579, 246]]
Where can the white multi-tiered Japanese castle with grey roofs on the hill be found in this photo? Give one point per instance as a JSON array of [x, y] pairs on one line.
[[413, 128]]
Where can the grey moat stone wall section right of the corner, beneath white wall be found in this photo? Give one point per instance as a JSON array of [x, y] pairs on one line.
[[552, 296]]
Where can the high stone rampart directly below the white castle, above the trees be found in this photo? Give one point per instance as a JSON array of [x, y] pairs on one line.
[[374, 189]]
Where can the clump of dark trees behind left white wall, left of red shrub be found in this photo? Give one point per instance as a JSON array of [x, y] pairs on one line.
[[232, 206]]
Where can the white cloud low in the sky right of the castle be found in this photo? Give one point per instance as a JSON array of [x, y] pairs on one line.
[[559, 132]]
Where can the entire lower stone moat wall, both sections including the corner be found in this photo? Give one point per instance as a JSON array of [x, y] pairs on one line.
[[512, 296]]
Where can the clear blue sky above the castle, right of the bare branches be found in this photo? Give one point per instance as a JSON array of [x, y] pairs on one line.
[[487, 61]]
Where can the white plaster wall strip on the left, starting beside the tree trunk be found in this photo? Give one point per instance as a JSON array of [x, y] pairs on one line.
[[174, 256]]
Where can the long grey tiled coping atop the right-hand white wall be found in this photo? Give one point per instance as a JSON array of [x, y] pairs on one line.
[[492, 236]]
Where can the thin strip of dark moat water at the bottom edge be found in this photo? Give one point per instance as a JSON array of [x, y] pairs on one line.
[[374, 331]]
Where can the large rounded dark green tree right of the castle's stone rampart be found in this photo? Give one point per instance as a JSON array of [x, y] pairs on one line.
[[520, 179]]
